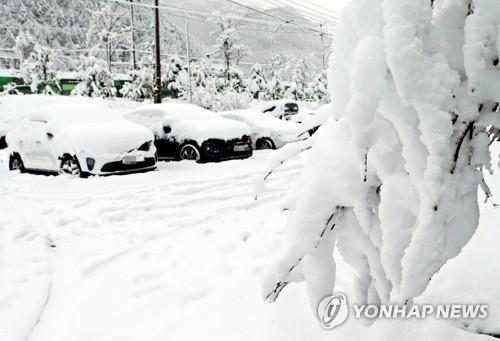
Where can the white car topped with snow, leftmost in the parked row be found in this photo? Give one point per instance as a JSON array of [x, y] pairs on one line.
[[57, 140]]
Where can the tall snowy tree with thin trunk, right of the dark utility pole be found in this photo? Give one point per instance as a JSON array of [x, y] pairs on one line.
[[227, 39]]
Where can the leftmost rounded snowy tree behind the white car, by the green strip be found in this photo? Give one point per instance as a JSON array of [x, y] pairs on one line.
[[39, 69]]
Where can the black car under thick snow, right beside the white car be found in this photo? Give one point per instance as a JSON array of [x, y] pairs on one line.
[[188, 132]]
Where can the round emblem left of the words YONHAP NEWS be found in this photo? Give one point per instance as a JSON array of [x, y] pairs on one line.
[[333, 311]]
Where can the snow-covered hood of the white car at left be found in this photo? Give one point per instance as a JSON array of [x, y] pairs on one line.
[[102, 138]]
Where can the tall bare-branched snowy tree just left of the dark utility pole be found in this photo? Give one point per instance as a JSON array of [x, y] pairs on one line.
[[109, 29]]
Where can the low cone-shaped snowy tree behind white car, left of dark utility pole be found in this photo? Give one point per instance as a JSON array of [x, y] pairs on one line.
[[96, 80]]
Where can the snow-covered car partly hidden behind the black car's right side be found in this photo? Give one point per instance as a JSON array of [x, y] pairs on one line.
[[268, 132]]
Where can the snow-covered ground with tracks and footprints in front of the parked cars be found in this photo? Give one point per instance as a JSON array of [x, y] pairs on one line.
[[175, 255]]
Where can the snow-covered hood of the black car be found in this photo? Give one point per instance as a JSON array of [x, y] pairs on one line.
[[214, 128]]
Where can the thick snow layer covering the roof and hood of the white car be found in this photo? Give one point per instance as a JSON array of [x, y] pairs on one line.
[[77, 125]]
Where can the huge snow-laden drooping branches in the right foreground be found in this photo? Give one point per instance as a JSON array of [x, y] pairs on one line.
[[394, 182]]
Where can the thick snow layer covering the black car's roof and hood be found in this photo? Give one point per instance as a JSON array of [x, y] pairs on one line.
[[187, 121]]
